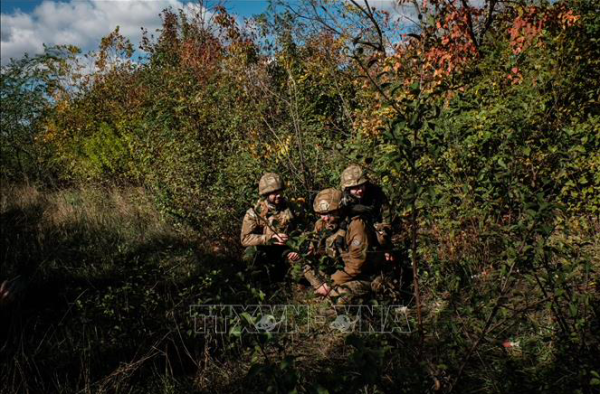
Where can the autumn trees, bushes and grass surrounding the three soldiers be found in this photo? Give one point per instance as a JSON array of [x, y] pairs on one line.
[[123, 191]]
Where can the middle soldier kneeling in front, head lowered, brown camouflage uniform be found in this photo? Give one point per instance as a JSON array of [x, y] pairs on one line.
[[354, 243]]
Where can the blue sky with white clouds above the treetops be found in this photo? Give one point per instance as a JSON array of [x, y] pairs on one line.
[[26, 25]]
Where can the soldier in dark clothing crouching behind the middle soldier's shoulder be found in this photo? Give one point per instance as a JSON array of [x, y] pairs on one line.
[[365, 199]]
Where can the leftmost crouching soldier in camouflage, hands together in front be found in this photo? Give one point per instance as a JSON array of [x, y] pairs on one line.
[[266, 226]]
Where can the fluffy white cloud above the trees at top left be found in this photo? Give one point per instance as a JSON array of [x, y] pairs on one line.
[[81, 23]]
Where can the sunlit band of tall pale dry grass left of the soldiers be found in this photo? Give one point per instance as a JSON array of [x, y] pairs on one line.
[[78, 230]]
